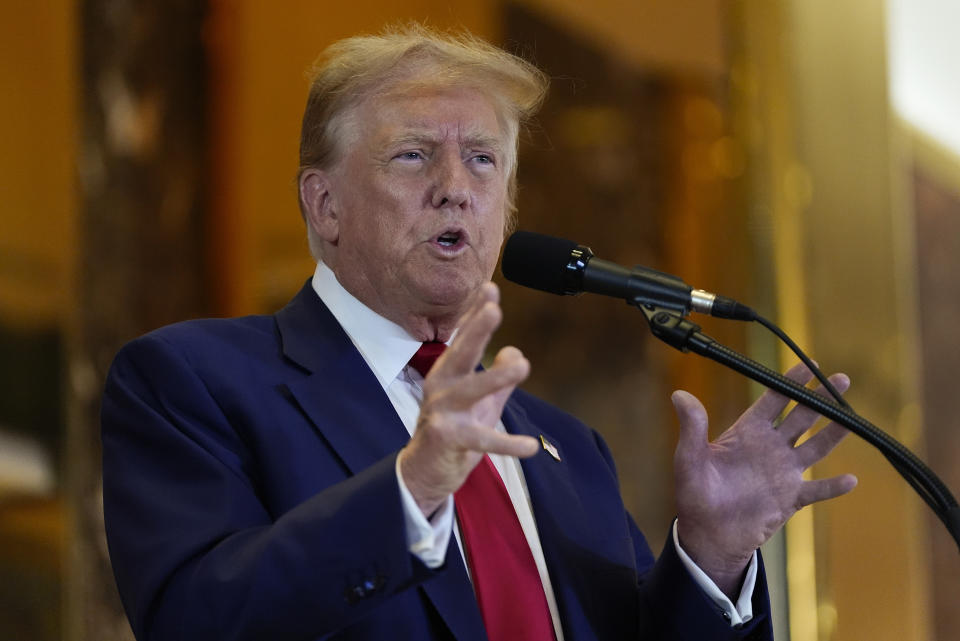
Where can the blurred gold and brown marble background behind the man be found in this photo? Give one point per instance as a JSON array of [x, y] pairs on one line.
[[802, 156]]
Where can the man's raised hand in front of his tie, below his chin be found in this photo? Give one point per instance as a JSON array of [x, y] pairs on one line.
[[461, 408]]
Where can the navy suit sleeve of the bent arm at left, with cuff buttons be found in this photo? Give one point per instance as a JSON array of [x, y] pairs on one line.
[[196, 554]]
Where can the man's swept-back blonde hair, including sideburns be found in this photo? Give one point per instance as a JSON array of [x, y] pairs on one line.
[[414, 56]]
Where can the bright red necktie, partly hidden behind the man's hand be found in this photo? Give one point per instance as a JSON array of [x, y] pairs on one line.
[[505, 577]]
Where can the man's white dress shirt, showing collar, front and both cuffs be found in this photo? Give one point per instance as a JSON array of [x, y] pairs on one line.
[[387, 349]]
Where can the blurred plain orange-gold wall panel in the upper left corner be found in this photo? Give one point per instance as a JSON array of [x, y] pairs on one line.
[[38, 199]]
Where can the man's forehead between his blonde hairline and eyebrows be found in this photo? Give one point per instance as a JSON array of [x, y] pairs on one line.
[[467, 114]]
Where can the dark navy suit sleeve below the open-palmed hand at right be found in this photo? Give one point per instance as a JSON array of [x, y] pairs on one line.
[[672, 607]]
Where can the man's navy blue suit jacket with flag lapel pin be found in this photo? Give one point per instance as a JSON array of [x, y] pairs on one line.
[[250, 493]]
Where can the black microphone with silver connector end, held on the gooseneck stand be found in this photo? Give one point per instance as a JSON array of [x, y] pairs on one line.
[[560, 266]]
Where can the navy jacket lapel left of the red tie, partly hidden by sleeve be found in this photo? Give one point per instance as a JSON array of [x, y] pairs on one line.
[[344, 401]]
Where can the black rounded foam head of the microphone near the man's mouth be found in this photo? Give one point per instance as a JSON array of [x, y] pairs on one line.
[[537, 261]]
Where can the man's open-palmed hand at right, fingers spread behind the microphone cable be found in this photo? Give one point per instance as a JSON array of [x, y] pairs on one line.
[[734, 493]]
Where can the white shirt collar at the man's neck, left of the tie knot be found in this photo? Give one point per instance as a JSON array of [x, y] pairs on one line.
[[385, 346]]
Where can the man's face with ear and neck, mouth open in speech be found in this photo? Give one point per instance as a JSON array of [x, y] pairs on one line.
[[419, 198]]
